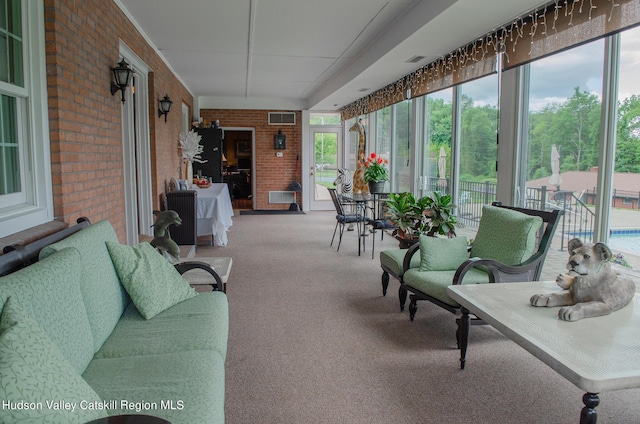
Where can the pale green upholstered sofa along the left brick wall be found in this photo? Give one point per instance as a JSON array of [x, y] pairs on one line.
[[71, 336]]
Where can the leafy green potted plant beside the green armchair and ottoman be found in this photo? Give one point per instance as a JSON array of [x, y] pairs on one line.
[[430, 215]]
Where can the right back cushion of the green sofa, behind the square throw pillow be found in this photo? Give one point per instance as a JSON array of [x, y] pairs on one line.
[[104, 296]]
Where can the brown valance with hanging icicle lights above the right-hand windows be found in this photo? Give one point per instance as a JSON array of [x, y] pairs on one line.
[[560, 25]]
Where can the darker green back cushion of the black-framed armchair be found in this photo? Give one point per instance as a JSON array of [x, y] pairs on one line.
[[506, 236]]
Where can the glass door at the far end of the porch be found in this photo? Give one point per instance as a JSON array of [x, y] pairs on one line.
[[327, 142]]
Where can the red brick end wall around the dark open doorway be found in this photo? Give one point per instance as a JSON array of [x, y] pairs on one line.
[[272, 173]]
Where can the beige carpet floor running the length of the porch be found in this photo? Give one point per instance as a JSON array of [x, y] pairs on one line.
[[312, 340]]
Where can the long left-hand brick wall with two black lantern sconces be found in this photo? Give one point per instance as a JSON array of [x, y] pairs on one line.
[[82, 43]]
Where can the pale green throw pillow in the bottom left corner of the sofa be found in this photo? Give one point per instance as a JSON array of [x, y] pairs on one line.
[[35, 378]]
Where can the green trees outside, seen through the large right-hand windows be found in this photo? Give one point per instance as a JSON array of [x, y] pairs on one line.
[[573, 126]]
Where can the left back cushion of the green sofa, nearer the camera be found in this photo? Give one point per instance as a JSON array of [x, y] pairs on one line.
[[49, 290]]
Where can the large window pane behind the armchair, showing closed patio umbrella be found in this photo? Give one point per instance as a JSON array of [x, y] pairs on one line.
[[565, 98]]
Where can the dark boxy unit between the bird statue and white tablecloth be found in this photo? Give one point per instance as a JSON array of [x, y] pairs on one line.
[[184, 203]]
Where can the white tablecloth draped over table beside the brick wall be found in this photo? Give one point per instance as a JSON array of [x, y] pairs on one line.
[[214, 212]]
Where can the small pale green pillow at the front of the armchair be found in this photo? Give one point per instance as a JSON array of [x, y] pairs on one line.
[[442, 254]]
